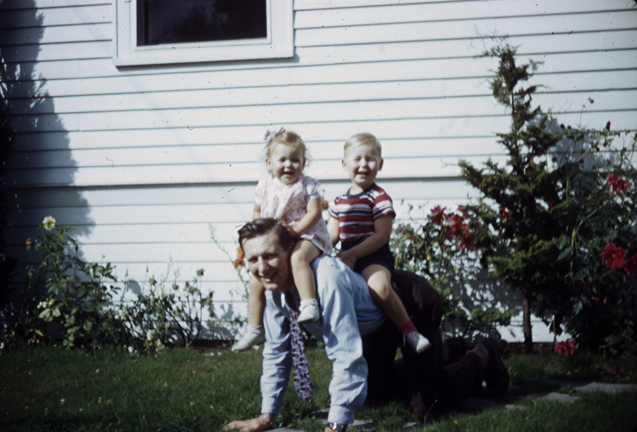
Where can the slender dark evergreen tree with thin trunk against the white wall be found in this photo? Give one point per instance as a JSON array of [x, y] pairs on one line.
[[518, 197]]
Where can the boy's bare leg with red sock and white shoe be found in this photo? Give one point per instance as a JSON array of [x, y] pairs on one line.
[[379, 281]]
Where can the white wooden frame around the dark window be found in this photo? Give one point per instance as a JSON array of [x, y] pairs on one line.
[[278, 44]]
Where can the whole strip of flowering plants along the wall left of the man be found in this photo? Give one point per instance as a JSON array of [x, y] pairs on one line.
[[78, 304]]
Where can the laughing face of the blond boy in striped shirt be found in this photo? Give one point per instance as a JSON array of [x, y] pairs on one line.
[[362, 163]]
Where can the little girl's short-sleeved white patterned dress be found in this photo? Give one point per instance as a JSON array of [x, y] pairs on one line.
[[289, 203]]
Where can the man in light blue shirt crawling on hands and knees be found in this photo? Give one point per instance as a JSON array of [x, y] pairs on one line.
[[357, 338]]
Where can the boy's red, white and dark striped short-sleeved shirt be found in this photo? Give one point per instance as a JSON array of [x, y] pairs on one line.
[[356, 213]]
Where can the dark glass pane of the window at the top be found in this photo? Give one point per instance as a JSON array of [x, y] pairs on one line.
[[180, 21]]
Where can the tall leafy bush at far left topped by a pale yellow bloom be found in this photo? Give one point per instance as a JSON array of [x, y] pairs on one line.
[[73, 298]]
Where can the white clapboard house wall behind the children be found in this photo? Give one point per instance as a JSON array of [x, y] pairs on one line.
[[143, 161]]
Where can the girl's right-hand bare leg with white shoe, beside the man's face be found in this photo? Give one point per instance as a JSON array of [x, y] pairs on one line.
[[303, 254]]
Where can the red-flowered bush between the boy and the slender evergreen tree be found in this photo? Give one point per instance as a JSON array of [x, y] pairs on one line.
[[441, 248]]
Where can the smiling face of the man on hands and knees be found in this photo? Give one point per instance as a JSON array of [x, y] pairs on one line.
[[268, 262]]
